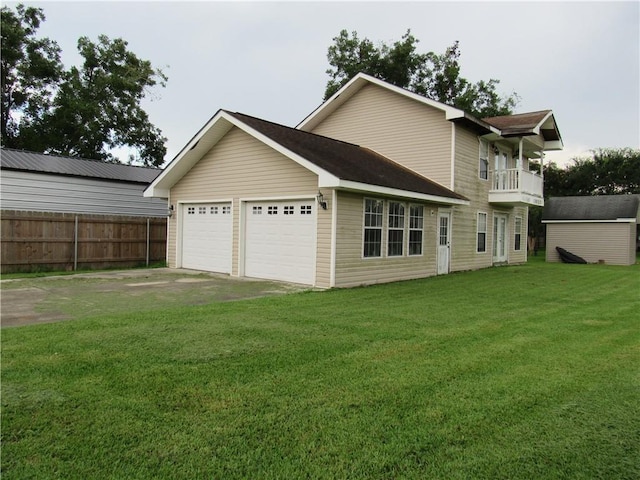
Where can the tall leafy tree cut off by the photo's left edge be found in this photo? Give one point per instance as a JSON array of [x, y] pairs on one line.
[[31, 72]]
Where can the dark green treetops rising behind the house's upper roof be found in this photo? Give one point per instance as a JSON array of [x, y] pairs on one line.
[[434, 76]]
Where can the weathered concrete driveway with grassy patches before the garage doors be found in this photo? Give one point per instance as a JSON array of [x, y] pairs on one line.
[[67, 297]]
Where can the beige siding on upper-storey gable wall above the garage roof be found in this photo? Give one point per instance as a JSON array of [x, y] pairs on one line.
[[408, 132]]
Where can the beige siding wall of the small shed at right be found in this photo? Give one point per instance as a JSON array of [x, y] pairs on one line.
[[612, 243]]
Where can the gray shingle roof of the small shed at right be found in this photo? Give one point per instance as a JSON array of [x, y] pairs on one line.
[[591, 208]]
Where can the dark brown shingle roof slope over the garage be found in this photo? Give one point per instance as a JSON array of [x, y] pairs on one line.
[[346, 160]]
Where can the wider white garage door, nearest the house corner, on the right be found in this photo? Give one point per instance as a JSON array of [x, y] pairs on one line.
[[280, 241]]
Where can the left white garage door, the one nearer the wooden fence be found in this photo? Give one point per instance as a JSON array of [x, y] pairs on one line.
[[207, 237]]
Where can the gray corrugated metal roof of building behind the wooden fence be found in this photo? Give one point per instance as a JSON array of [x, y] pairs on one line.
[[77, 167]]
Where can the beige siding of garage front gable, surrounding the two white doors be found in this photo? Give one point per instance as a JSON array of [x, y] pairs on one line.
[[237, 168]]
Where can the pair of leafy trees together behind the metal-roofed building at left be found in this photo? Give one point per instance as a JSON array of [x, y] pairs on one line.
[[85, 111]]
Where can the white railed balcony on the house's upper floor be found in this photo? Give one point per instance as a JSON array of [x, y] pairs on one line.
[[514, 187]]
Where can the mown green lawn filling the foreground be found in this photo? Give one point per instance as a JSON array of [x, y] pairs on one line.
[[522, 372]]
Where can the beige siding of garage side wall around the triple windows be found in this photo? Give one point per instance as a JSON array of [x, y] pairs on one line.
[[352, 269]]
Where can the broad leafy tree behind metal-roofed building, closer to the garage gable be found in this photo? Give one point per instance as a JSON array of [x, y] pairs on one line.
[[95, 107]]
